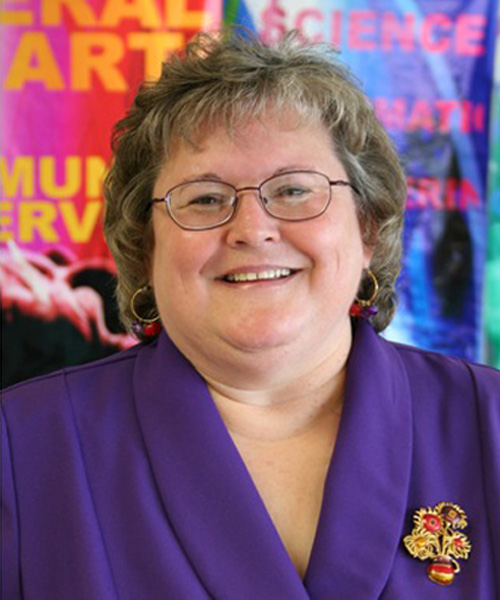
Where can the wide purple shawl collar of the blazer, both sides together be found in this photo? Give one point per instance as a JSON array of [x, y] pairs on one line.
[[216, 511]]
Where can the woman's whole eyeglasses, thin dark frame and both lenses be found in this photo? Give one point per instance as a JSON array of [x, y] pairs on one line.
[[292, 196]]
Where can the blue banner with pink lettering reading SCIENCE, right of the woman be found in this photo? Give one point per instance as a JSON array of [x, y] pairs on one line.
[[427, 66]]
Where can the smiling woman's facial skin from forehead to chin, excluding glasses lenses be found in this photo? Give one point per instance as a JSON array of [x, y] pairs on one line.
[[294, 319]]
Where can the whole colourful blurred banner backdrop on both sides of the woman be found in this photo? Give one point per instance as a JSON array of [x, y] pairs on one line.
[[70, 68]]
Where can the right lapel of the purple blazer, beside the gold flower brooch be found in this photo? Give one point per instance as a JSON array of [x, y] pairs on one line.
[[366, 491]]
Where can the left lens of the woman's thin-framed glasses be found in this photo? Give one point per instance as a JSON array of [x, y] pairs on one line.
[[201, 204]]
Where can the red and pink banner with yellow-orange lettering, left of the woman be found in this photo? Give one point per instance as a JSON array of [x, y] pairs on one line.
[[70, 69]]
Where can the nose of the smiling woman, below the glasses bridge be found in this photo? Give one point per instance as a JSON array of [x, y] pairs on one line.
[[251, 225]]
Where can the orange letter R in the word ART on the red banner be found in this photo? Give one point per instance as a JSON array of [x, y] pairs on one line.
[[96, 53]]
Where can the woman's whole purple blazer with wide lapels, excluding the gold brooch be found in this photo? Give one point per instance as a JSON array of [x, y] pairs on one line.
[[120, 481]]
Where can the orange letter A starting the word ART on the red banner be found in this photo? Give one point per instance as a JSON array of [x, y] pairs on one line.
[[34, 61]]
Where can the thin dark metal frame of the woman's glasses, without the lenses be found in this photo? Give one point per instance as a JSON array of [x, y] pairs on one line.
[[258, 188]]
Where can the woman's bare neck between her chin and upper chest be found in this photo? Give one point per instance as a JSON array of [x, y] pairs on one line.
[[273, 394]]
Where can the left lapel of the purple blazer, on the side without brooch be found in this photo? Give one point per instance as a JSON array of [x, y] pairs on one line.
[[209, 497]]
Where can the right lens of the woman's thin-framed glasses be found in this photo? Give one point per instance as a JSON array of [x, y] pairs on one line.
[[296, 196]]
